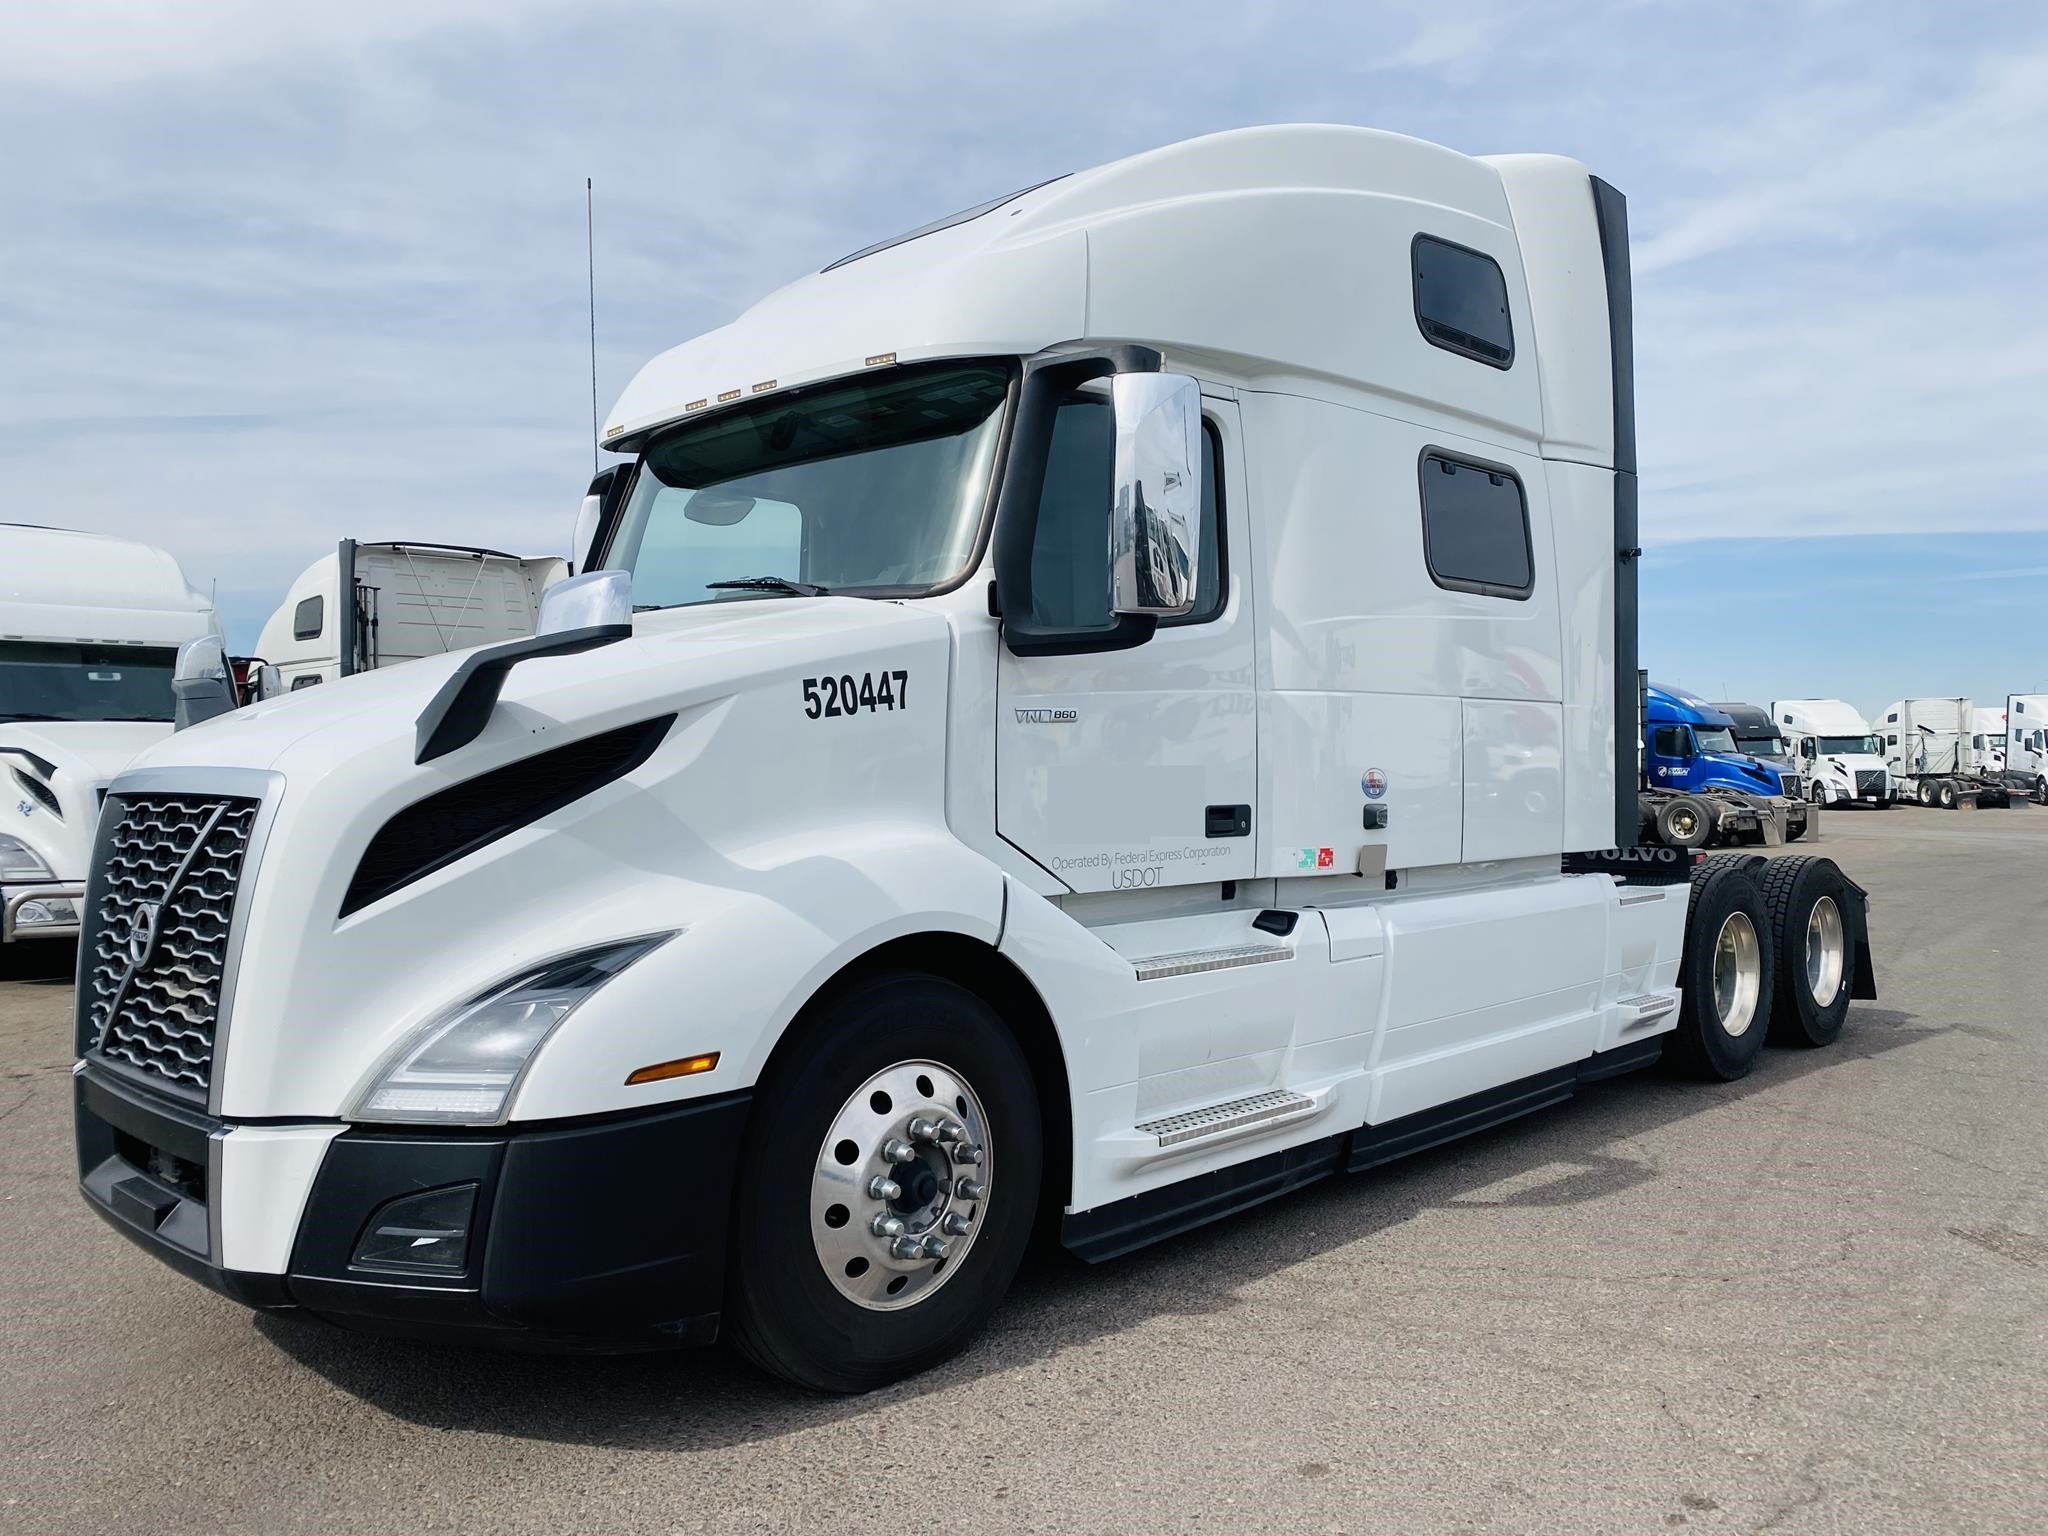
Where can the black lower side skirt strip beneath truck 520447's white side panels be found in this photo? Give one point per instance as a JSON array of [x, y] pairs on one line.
[[1127, 1226]]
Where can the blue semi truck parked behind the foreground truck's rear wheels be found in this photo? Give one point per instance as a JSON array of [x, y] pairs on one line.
[[1701, 787]]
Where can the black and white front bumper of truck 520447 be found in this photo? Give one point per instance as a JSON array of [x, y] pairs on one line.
[[587, 1236]]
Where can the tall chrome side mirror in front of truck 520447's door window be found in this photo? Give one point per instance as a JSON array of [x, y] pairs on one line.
[[1156, 519]]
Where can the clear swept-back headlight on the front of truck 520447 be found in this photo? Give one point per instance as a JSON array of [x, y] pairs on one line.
[[462, 1066]]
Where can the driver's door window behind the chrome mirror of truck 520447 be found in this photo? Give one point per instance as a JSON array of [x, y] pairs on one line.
[[1070, 574]]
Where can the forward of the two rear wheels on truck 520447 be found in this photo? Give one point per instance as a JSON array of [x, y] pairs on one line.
[[1725, 976]]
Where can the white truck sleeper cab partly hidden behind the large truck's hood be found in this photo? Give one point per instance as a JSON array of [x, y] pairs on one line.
[[374, 605]]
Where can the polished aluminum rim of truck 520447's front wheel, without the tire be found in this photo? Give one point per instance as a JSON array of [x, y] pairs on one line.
[[900, 1185]]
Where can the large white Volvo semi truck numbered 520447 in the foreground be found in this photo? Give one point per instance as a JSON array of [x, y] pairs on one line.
[[1103, 710]]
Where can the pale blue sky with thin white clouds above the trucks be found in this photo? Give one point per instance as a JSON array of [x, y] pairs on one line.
[[273, 275]]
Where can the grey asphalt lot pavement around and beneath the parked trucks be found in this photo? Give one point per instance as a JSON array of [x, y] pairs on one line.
[[1811, 1302]]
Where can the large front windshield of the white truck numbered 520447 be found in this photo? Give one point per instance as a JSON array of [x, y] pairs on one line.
[[871, 486]]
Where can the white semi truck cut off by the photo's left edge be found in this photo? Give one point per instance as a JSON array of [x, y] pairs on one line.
[[89, 634]]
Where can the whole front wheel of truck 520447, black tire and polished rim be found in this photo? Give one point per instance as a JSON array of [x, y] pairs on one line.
[[894, 1164]]
